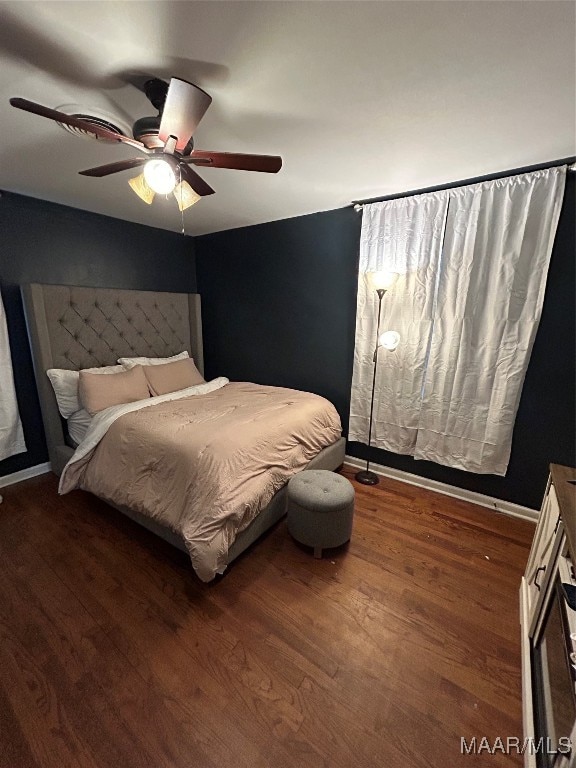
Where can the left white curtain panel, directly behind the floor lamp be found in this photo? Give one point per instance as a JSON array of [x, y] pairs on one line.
[[403, 236]]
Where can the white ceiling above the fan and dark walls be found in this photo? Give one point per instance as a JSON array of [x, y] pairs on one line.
[[361, 99]]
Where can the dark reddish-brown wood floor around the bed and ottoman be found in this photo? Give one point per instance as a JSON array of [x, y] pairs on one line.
[[382, 655]]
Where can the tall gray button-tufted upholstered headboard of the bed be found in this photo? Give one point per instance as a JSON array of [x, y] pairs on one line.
[[73, 327]]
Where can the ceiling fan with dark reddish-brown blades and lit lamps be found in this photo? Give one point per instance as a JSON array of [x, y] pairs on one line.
[[165, 142]]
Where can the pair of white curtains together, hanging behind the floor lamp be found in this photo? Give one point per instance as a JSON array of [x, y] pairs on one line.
[[473, 264]]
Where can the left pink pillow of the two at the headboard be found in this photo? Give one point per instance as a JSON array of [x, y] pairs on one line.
[[98, 392]]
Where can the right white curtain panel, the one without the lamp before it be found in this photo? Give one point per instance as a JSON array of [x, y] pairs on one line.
[[499, 238]]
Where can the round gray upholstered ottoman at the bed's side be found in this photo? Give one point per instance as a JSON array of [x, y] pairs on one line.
[[320, 509]]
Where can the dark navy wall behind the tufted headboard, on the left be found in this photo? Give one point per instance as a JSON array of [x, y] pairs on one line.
[[48, 243]]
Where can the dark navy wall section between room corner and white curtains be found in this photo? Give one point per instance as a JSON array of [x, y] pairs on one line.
[[279, 303]]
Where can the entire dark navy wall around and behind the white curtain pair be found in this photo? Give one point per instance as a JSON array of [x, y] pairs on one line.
[[279, 304]]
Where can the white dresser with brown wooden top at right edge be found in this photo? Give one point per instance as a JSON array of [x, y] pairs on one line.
[[548, 626]]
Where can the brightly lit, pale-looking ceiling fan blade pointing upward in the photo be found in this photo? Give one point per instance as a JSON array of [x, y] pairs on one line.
[[184, 107]]
